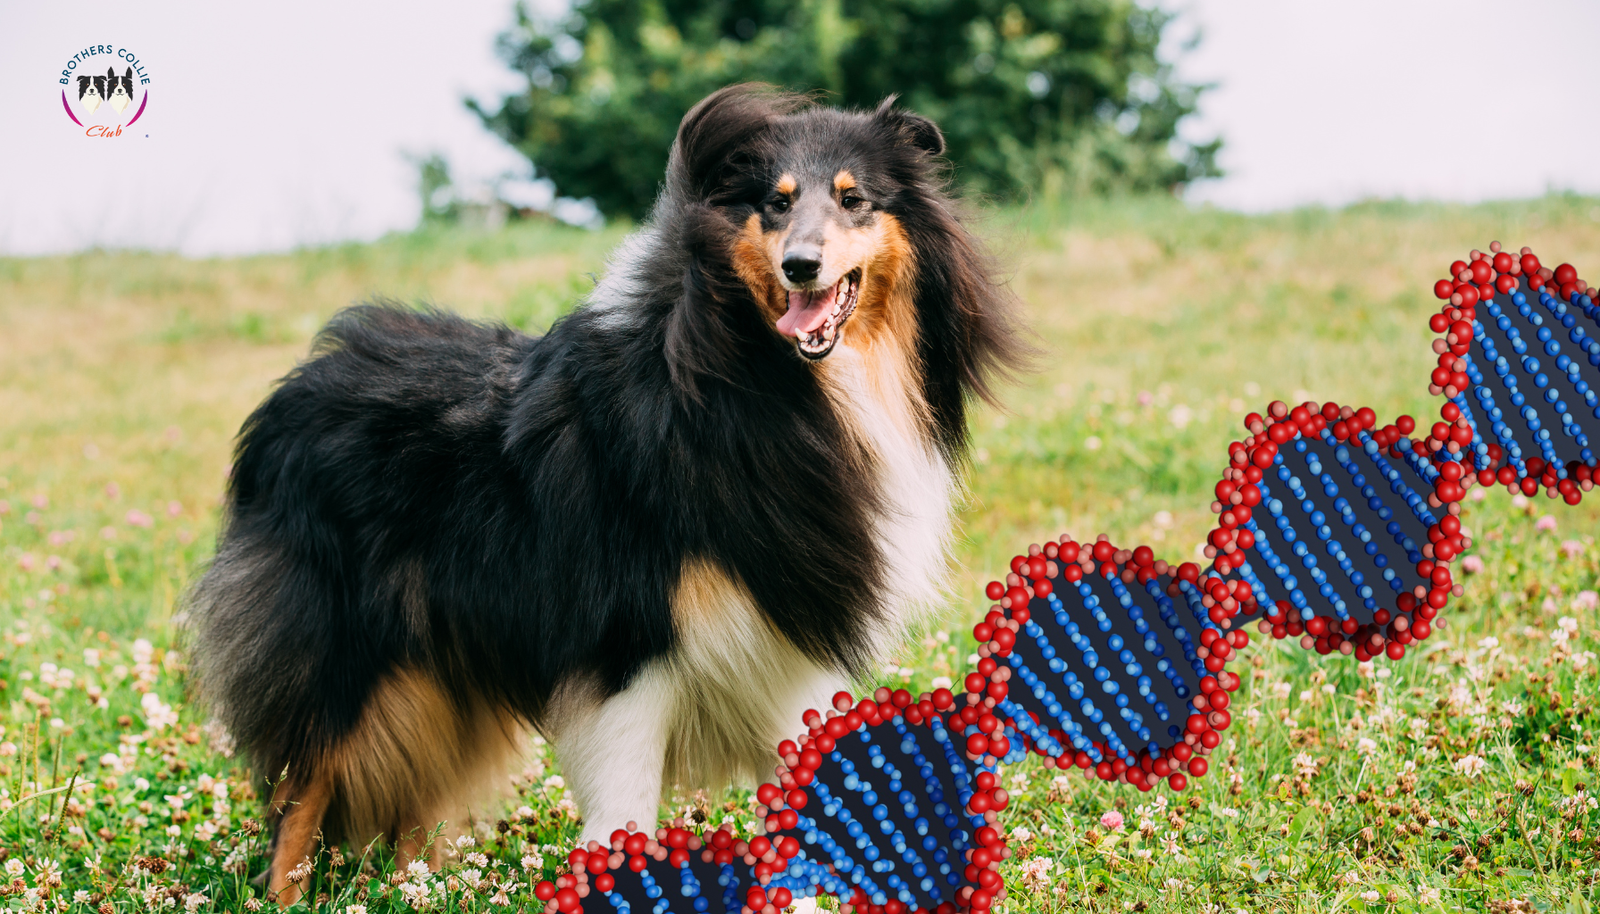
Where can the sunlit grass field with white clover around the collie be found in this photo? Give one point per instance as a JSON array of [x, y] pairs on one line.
[[1457, 779]]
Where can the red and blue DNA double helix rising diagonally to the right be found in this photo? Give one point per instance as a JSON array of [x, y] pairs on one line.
[[1330, 529]]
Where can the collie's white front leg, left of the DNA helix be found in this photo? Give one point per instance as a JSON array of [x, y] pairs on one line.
[[614, 752]]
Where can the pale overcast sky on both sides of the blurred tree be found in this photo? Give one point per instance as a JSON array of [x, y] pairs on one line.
[[290, 124]]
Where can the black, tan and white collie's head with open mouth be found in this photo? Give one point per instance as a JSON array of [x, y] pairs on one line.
[[834, 231]]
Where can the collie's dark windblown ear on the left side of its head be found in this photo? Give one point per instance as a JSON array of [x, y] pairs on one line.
[[719, 129]]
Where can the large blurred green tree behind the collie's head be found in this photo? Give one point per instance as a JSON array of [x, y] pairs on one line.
[[1055, 97]]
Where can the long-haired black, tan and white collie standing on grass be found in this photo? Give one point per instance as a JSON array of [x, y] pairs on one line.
[[700, 505]]
